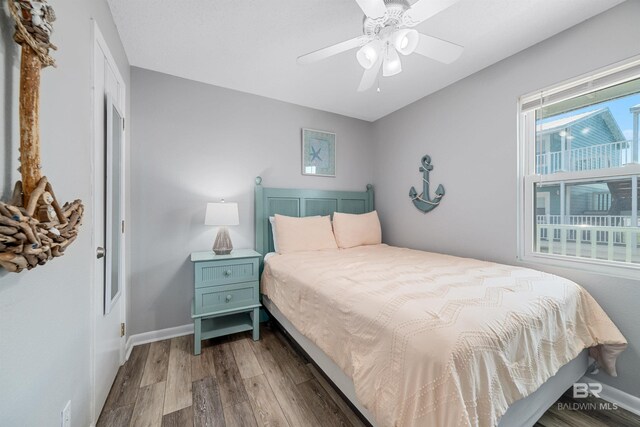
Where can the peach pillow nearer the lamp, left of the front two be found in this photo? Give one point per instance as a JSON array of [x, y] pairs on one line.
[[310, 233]]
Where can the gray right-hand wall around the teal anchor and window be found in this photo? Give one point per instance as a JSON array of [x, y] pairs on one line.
[[470, 130]]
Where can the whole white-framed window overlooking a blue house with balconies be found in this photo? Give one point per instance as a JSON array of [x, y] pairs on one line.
[[579, 169]]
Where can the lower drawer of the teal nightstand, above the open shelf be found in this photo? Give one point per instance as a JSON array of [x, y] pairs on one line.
[[215, 298]]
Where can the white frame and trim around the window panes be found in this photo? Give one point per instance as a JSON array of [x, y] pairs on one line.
[[623, 71]]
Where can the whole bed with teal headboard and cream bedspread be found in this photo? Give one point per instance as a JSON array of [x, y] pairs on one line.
[[396, 378]]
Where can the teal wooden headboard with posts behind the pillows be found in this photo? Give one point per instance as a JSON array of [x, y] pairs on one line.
[[299, 202]]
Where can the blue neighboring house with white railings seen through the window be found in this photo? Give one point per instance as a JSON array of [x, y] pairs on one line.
[[596, 214]]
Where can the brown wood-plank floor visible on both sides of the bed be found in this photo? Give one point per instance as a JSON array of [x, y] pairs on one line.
[[238, 382]]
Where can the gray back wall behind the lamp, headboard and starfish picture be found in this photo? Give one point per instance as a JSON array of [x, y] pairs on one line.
[[197, 143]]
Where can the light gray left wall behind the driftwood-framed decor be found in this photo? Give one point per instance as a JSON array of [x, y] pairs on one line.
[[45, 313]]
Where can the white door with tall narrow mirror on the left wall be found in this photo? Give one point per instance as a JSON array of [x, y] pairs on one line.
[[108, 204]]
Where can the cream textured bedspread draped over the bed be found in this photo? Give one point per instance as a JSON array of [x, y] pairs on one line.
[[430, 339]]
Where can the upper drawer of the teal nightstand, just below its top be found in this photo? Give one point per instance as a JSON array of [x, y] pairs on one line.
[[222, 273]]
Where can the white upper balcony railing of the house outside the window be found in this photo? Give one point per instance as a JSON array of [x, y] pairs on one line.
[[614, 154]]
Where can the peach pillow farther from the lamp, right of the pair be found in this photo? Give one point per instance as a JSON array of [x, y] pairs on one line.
[[357, 230]]
